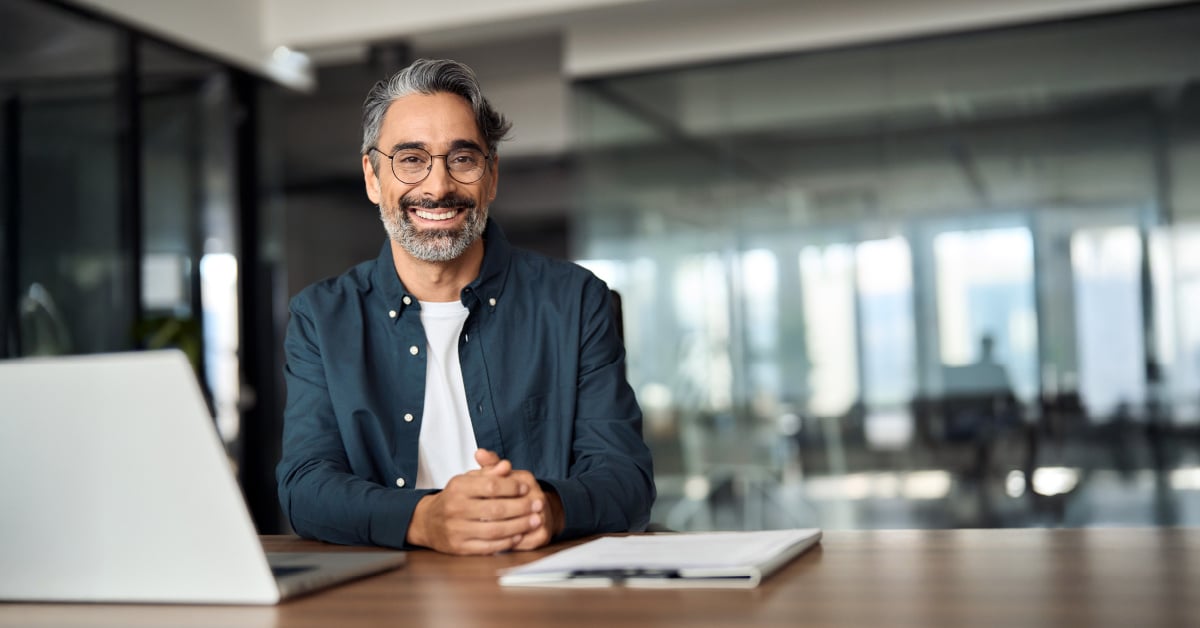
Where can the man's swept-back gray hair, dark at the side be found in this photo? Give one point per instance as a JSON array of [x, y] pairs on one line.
[[431, 76]]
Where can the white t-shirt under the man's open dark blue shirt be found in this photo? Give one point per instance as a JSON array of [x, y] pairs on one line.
[[447, 446]]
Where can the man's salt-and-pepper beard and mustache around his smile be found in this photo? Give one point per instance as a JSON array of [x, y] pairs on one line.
[[434, 246]]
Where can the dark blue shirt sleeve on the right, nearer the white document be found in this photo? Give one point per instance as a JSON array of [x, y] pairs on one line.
[[610, 485]]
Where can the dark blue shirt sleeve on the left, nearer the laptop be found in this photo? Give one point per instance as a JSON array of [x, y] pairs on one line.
[[320, 494]]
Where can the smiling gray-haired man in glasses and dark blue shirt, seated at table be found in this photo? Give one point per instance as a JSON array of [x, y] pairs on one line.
[[455, 393]]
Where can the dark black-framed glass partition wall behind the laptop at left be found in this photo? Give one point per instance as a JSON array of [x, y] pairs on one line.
[[123, 204]]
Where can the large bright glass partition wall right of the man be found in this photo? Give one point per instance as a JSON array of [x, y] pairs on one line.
[[933, 283]]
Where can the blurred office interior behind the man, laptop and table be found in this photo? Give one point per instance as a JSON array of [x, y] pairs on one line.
[[940, 271]]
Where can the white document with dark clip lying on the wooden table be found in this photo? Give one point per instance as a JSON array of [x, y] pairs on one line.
[[722, 560]]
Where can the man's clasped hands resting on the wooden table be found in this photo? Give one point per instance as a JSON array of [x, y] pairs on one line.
[[491, 510]]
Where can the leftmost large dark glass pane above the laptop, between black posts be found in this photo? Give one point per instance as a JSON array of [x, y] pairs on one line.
[[74, 268]]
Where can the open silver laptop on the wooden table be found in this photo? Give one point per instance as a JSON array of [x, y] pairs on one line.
[[116, 488]]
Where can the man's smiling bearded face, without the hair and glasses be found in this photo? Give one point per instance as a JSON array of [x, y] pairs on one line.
[[439, 219]]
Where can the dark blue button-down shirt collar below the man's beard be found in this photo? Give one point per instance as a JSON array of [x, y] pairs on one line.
[[487, 289]]
